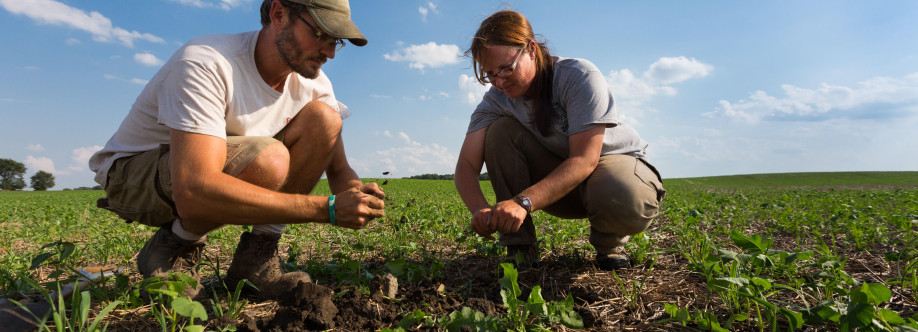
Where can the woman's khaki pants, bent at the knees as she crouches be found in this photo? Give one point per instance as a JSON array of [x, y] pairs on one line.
[[621, 197]]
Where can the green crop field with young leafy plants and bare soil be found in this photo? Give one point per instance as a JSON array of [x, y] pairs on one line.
[[795, 251]]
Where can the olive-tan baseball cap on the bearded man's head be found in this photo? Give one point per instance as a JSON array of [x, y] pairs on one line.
[[334, 17]]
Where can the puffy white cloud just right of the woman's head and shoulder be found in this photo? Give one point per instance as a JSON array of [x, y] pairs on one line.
[[633, 92]]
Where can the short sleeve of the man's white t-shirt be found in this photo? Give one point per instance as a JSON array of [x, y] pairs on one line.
[[192, 98]]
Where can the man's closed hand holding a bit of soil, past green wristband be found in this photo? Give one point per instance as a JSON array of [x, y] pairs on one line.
[[355, 208]]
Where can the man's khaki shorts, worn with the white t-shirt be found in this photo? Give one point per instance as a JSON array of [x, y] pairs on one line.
[[139, 187]]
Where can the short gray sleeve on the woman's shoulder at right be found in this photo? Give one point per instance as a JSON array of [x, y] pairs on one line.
[[586, 98]]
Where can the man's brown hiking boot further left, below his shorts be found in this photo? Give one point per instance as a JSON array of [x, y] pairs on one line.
[[166, 252]]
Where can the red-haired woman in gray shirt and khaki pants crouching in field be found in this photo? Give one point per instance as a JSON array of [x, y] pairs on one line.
[[549, 135]]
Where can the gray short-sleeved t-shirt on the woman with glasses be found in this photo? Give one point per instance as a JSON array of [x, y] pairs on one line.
[[581, 98]]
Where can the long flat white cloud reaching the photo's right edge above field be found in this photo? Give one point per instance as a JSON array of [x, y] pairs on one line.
[[879, 97]]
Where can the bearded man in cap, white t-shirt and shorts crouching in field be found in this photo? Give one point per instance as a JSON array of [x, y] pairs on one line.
[[238, 129]]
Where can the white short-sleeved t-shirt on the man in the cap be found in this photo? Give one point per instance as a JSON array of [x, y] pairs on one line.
[[211, 86]]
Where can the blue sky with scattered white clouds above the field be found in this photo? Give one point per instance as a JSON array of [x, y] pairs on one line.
[[716, 87]]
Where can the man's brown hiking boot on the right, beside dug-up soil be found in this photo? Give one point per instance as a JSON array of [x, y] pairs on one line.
[[256, 259]]
